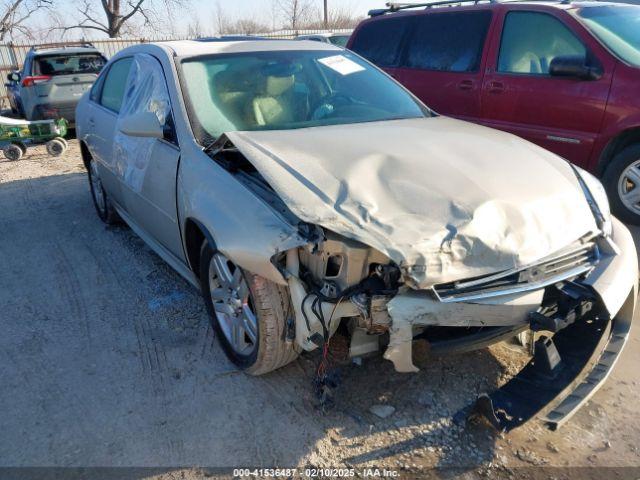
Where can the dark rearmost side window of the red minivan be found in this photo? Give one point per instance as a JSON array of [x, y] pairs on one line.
[[379, 41]]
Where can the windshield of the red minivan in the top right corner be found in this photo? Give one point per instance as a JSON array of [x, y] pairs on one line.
[[618, 27]]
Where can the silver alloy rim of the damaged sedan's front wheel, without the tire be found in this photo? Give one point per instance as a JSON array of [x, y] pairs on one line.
[[232, 304]]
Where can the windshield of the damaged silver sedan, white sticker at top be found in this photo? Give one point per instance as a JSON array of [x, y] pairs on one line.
[[283, 90]]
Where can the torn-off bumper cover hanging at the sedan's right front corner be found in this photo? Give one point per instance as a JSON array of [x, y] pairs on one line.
[[588, 350]]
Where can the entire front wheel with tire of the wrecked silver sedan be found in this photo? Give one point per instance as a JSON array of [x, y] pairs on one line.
[[249, 314]]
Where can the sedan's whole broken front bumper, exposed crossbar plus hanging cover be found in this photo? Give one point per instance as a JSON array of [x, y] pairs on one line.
[[591, 321]]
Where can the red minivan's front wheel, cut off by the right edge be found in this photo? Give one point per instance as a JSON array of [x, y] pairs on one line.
[[622, 181]]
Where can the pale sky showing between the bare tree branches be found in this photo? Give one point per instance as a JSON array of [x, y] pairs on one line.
[[201, 11]]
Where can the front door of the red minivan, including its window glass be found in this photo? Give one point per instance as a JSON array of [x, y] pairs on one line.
[[563, 115]]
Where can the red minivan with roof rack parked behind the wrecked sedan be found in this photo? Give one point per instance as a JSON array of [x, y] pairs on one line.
[[564, 75]]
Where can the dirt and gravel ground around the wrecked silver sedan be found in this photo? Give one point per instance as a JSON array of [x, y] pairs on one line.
[[107, 359]]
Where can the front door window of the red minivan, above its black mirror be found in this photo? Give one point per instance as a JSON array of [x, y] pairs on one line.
[[531, 40]]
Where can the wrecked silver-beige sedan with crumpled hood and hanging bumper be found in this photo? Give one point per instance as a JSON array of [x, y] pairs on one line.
[[304, 191]]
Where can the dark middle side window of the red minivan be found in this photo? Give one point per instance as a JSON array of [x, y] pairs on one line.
[[450, 42]]
